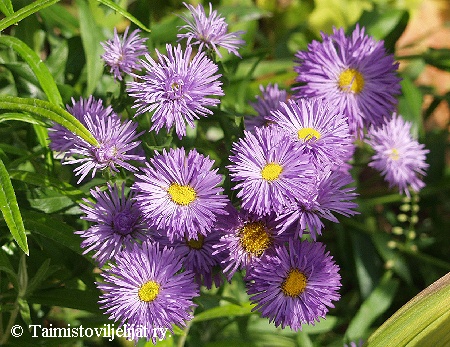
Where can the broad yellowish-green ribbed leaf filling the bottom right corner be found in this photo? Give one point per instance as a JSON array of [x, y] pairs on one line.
[[423, 321]]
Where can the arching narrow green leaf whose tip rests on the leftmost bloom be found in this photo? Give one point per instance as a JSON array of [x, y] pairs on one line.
[[47, 110]]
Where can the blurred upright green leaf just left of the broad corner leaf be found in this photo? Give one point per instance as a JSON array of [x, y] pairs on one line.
[[377, 302]]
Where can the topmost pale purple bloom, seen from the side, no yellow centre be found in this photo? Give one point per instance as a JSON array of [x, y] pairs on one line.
[[210, 31]]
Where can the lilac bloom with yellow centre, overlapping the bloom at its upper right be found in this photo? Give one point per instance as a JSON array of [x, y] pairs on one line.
[[270, 170]]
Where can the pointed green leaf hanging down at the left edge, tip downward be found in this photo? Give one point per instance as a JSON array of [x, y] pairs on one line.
[[10, 209]]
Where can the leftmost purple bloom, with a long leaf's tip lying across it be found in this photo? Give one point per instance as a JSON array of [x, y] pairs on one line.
[[117, 140]]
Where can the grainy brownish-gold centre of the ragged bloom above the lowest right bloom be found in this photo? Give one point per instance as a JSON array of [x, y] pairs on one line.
[[254, 238]]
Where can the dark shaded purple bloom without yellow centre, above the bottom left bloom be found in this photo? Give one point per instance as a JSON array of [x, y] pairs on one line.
[[118, 223]]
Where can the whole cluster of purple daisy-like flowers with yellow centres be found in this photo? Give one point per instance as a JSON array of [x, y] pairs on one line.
[[174, 230]]
